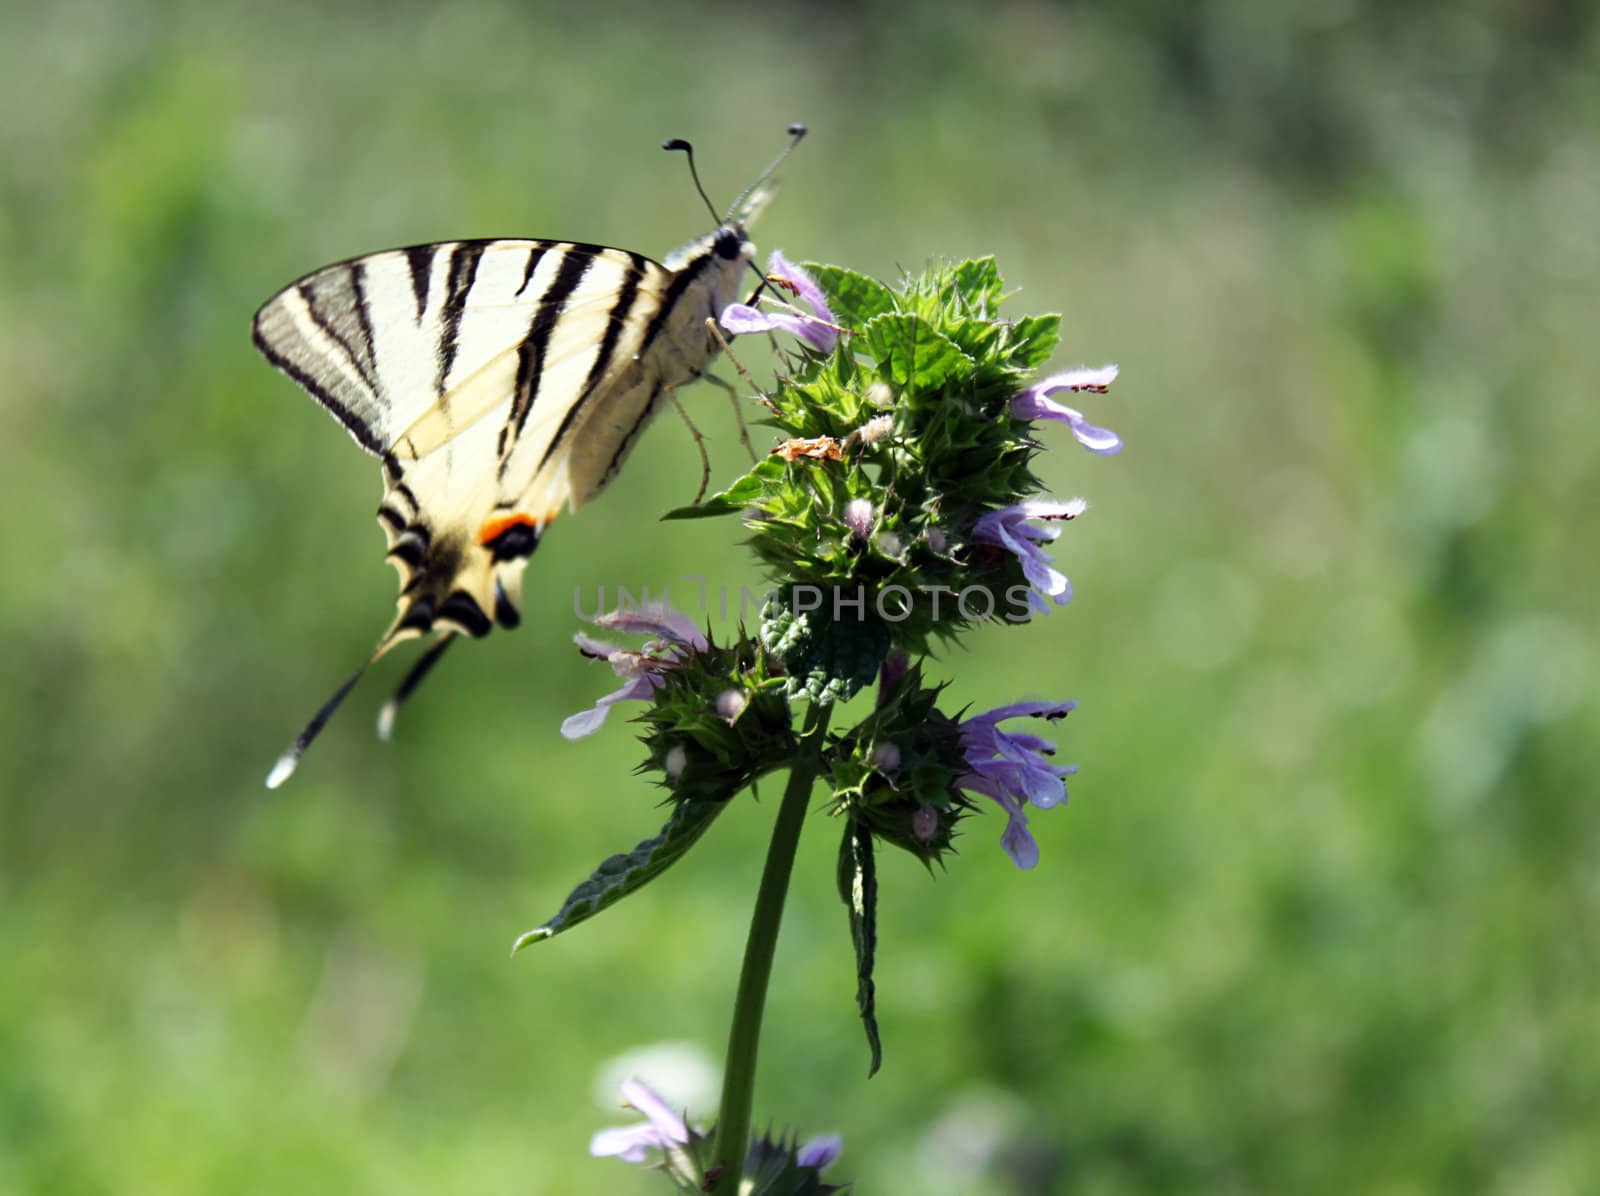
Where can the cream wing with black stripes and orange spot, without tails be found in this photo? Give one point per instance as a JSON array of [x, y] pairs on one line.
[[460, 365]]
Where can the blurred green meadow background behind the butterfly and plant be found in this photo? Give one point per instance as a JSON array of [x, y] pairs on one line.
[[1322, 914]]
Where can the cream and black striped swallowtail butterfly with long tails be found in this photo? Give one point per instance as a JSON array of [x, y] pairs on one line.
[[497, 381]]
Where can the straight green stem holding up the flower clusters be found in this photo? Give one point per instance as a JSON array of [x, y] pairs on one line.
[[745, 1039]]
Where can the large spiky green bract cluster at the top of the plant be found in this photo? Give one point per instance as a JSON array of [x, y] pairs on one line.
[[908, 418]]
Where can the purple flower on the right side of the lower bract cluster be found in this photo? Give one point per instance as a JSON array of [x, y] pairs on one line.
[[1015, 771]]
